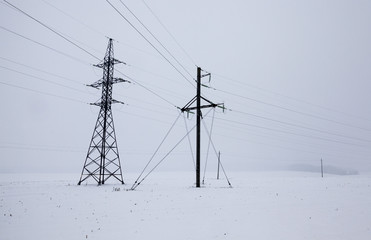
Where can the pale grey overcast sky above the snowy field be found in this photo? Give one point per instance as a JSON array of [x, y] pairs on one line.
[[293, 75]]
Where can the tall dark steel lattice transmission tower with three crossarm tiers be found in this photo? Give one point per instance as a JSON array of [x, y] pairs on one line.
[[102, 160]]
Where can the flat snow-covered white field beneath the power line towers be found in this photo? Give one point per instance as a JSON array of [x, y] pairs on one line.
[[274, 205]]
